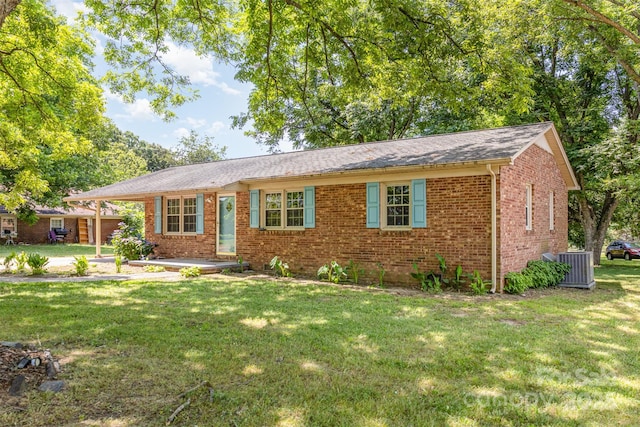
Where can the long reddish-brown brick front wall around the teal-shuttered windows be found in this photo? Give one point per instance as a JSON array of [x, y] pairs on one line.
[[458, 216]]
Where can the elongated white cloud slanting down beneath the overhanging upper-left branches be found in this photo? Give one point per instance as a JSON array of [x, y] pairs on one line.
[[199, 69]]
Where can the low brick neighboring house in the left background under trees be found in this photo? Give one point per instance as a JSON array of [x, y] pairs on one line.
[[78, 221]]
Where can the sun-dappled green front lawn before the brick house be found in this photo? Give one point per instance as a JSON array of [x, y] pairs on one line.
[[283, 353]]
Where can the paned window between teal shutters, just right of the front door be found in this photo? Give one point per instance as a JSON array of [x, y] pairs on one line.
[[289, 214]]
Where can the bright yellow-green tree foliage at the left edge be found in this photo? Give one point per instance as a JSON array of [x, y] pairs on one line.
[[49, 100]]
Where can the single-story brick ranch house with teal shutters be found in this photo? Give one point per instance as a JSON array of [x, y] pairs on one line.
[[488, 200]]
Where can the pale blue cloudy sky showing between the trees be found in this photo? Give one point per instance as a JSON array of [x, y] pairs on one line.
[[220, 98]]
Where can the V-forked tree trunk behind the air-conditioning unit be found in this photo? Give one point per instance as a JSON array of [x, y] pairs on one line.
[[596, 224]]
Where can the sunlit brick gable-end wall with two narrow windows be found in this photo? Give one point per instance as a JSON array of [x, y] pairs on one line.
[[517, 245]]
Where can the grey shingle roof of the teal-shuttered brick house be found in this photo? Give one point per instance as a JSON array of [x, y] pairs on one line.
[[455, 148]]
